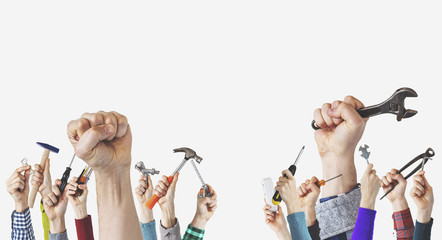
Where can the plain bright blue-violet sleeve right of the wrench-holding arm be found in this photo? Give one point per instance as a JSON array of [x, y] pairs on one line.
[[364, 224]]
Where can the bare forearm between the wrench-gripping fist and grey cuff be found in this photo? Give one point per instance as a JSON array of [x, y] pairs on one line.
[[333, 165]]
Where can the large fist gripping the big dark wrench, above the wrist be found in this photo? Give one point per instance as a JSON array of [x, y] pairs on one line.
[[341, 127]]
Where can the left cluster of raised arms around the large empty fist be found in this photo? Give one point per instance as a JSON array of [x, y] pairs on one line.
[[103, 140]]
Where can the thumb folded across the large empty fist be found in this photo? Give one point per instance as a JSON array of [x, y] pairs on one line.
[[91, 138]]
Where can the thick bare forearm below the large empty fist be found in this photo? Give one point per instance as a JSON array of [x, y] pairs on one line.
[[117, 216]]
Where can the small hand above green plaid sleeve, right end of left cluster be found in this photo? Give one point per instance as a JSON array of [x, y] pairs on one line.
[[205, 208]]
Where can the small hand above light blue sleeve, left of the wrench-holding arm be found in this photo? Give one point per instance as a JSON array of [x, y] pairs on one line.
[[287, 190]]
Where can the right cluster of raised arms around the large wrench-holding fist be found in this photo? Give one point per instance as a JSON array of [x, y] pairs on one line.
[[347, 208]]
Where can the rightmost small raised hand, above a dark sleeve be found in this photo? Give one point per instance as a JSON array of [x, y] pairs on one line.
[[422, 194]]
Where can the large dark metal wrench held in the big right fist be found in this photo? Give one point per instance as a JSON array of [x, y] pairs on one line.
[[394, 105]]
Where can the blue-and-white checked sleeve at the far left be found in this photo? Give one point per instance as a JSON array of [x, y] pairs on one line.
[[22, 226]]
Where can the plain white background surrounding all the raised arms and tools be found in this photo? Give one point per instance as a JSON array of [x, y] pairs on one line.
[[235, 80]]
